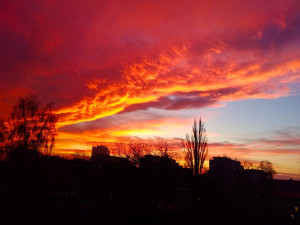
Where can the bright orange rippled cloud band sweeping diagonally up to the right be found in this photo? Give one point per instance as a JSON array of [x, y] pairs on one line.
[[180, 71]]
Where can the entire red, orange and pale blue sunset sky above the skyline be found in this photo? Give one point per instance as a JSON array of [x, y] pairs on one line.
[[146, 69]]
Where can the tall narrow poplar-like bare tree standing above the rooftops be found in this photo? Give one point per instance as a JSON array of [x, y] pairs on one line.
[[196, 148]]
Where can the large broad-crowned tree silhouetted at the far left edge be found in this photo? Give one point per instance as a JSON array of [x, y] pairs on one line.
[[31, 126]]
